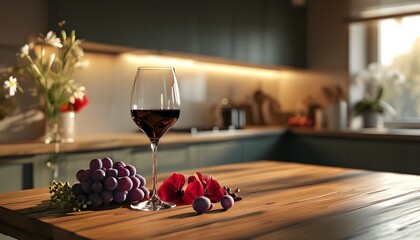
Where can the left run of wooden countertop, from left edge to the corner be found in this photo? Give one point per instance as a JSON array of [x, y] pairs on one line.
[[110, 141]]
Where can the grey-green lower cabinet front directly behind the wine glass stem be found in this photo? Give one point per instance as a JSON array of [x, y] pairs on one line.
[[176, 157]]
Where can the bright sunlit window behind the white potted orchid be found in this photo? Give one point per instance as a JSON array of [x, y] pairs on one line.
[[398, 46]]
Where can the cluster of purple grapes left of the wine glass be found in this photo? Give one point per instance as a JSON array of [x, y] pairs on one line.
[[105, 182]]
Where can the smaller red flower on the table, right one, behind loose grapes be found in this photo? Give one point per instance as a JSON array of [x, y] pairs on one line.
[[212, 188]]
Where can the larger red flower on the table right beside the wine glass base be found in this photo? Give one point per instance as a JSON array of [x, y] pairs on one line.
[[172, 190]]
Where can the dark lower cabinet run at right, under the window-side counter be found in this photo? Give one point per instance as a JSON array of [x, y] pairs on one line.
[[394, 155]]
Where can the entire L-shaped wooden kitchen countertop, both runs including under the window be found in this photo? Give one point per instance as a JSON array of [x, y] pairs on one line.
[[112, 141]]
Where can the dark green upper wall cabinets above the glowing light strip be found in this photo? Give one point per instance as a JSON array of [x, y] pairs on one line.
[[262, 32]]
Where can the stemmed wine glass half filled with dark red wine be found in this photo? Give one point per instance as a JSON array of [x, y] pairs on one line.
[[155, 107]]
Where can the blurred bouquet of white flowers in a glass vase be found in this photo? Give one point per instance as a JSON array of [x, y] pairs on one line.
[[50, 62]]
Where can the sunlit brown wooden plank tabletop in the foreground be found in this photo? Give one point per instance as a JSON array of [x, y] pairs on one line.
[[280, 201]]
